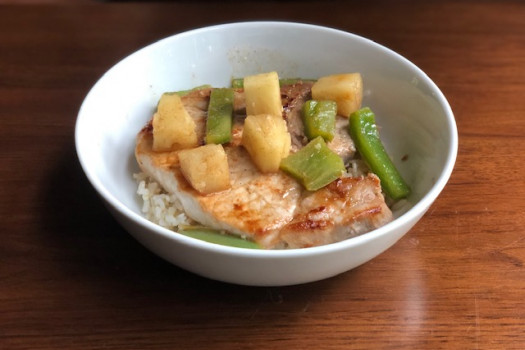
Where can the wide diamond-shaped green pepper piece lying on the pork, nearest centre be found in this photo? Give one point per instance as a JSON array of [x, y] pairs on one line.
[[314, 166]]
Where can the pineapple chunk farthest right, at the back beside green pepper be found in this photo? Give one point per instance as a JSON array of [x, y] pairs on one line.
[[345, 89]]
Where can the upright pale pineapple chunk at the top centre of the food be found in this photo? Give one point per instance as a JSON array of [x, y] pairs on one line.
[[263, 94]]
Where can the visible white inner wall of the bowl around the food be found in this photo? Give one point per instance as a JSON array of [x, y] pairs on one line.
[[416, 122]]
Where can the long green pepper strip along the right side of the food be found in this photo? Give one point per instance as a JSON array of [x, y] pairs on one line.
[[363, 129]]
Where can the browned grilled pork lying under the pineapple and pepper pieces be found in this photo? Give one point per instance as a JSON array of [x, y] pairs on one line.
[[272, 209]]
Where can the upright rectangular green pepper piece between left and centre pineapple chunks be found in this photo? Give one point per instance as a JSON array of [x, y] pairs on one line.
[[220, 114]]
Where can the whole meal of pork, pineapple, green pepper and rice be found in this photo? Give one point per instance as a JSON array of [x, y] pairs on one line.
[[268, 163]]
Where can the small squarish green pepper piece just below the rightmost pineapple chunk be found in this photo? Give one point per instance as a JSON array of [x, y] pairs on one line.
[[319, 119]]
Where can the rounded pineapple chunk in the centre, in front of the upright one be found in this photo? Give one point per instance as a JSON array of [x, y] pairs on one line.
[[267, 140]]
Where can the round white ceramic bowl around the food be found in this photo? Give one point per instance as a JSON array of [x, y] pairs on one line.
[[415, 119]]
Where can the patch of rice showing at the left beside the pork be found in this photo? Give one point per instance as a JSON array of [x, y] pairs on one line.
[[159, 206]]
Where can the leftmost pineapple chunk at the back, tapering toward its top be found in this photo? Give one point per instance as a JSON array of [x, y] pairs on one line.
[[173, 128]]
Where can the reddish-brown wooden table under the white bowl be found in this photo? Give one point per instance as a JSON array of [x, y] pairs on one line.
[[72, 278]]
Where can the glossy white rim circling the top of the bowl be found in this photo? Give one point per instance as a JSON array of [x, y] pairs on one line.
[[416, 210]]
